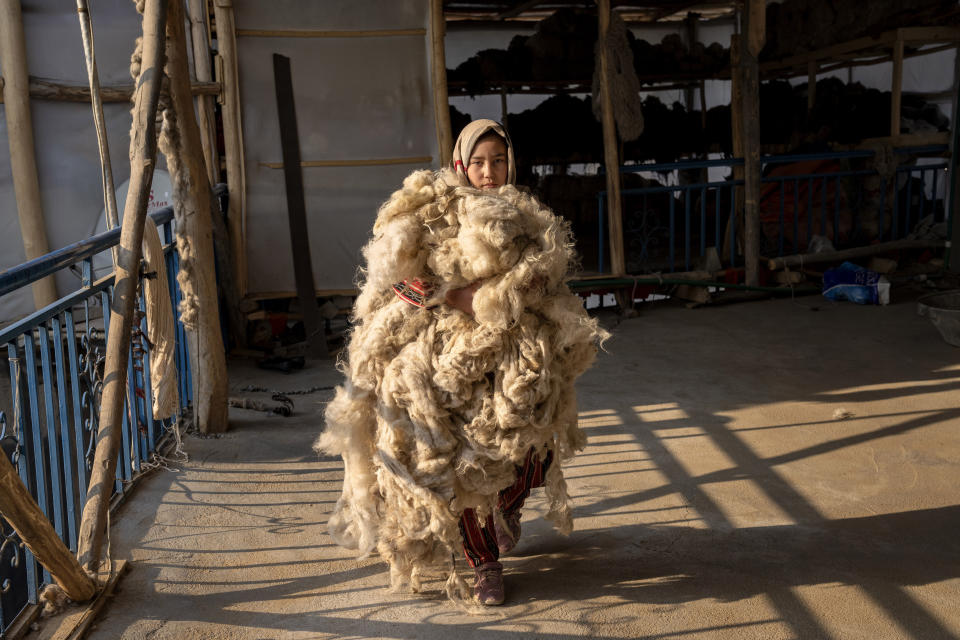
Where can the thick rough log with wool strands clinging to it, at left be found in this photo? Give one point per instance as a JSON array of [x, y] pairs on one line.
[[197, 275]]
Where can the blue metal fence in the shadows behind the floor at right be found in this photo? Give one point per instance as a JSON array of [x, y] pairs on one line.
[[850, 198]]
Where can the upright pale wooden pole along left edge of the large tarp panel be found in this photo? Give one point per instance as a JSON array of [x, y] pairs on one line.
[[232, 138]]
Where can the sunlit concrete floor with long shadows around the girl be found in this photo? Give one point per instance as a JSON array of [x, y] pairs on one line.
[[719, 497]]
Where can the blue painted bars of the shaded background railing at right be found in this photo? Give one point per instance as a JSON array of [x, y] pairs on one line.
[[807, 193]]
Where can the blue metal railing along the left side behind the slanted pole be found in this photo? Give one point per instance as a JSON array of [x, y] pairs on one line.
[[56, 358]]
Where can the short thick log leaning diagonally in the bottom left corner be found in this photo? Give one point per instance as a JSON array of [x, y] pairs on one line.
[[22, 513]]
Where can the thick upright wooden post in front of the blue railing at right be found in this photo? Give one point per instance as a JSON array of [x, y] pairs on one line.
[[755, 27]]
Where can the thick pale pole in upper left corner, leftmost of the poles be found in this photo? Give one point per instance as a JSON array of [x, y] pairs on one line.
[[23, 159]]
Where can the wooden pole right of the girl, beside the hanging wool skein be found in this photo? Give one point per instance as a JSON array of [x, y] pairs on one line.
[[610, 155]]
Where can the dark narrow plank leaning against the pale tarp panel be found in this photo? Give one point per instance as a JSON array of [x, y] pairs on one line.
[[296, 207]]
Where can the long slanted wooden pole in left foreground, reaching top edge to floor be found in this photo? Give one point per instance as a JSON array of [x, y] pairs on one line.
[[143, 153]]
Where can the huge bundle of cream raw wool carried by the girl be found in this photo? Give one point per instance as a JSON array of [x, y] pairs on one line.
[[439, 407]]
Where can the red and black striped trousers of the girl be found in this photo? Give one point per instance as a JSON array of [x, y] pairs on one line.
[[480, 540]]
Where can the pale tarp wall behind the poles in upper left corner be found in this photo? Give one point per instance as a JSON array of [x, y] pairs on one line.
[[64, 136]]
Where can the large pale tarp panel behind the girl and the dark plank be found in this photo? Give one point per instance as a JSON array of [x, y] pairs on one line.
[[357, 98]]
